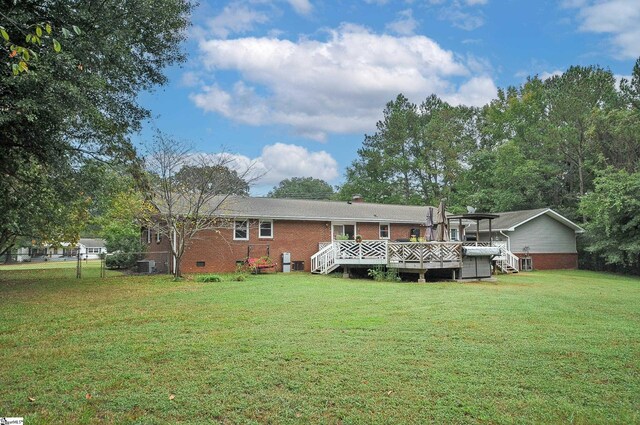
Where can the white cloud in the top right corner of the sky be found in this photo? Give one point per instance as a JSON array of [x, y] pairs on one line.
[[619, 18]]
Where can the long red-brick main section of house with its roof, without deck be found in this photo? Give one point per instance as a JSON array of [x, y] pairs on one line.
[[256, 227]]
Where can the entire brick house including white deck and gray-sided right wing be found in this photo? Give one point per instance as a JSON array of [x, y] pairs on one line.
[[320, 237]]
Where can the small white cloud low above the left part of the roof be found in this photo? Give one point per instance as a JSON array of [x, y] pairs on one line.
[[282, 161]]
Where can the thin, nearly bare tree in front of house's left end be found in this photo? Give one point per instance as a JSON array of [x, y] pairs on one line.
[[189, 204]]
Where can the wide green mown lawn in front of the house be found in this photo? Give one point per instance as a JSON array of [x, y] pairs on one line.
[[561, 347]]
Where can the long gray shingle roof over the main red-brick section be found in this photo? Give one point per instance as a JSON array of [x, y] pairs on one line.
[[303, 209]]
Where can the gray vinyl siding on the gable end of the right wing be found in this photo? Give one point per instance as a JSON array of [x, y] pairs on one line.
[[543, 235]]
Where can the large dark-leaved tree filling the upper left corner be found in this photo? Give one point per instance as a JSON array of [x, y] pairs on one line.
[[80, 102]]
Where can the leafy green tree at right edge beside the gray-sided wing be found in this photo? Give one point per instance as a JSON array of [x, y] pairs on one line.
[[613, 218]]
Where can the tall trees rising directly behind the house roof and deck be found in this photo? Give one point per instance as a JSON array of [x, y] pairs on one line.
[[416, 155]]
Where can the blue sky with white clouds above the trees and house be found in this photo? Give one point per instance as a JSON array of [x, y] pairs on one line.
[[292, 86]]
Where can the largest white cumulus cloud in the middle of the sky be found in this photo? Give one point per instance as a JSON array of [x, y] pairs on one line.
[[337, 85]]
